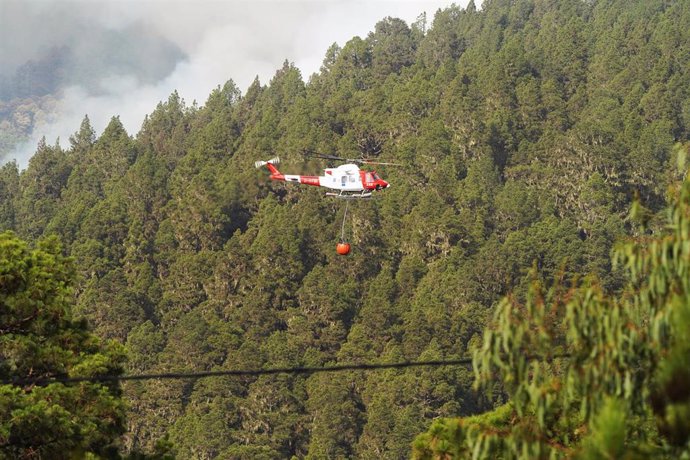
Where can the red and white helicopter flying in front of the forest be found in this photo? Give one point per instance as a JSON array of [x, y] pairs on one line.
[[347, 180]]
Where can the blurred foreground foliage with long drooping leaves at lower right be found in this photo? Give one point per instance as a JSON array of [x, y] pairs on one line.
[[589, 374]]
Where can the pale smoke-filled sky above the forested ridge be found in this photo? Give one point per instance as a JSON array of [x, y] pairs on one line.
[[219, 40]]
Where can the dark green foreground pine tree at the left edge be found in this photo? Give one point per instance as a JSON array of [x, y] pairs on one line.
[[39, 340]]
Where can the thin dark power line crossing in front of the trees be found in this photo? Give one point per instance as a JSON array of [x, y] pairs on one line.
[[253, 372]]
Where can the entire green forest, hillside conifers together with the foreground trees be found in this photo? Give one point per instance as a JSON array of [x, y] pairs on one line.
[[538, 224]]
